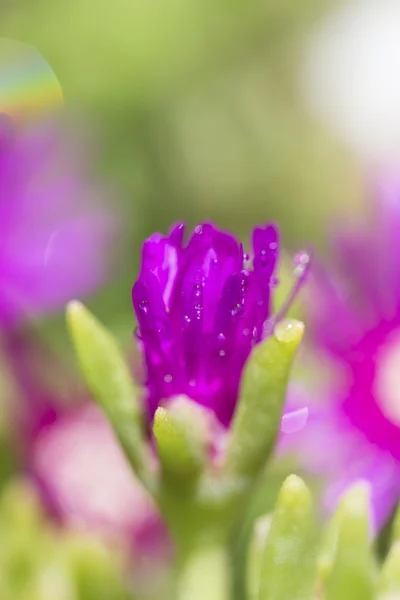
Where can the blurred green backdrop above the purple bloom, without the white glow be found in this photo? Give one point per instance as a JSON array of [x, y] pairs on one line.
[[198, 116]]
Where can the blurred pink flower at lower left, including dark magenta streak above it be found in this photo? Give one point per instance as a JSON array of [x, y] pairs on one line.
[[69, 450]]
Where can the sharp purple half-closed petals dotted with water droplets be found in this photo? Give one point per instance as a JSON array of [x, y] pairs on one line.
[[200, 309]]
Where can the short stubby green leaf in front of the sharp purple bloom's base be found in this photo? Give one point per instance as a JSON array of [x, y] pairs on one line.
[[181, 435]]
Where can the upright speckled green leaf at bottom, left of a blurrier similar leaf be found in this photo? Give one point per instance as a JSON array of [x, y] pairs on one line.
[[289, 562]]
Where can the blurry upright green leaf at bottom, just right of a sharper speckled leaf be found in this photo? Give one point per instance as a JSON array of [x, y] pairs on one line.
[[353, 572]]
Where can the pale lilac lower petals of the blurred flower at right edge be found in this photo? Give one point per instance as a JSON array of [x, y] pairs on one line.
[[326, 445]]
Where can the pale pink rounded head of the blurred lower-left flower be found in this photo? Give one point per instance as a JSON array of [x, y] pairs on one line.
[[87, 483]]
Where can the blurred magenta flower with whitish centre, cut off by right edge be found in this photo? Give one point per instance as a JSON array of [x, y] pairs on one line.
[[355, 321]]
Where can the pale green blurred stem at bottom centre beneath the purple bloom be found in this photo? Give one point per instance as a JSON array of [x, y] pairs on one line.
[[205, 575]]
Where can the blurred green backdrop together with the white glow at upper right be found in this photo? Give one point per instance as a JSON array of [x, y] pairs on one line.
[[235, 111]]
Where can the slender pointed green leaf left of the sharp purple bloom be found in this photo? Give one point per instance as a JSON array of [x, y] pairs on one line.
[[108, 378]]
